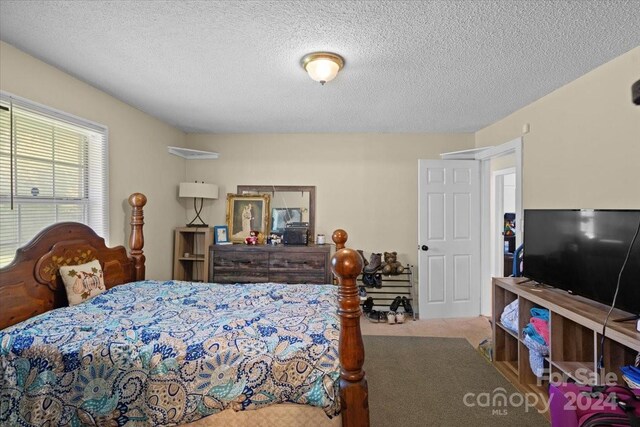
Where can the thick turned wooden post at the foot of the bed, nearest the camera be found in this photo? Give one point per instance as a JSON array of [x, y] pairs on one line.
[[347, 265]]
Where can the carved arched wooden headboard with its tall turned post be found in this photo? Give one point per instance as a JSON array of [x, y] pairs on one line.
[[31, 285]]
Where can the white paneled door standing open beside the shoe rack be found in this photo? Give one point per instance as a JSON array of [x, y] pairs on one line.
[[449, 238]]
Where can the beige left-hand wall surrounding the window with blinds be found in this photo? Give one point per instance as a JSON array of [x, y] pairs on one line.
[[138, 158]]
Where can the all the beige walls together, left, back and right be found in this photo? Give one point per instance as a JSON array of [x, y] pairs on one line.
[[583, 150]]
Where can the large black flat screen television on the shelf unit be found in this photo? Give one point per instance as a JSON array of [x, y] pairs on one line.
[[582, 251]]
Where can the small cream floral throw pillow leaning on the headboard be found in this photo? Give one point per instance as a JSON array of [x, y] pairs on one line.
[[82, 282]]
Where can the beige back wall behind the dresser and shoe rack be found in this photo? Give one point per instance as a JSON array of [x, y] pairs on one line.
[[365, 183]]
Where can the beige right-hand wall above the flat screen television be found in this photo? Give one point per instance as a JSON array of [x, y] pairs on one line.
[[583, 149]]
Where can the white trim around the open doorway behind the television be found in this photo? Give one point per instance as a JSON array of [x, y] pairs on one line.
[[485, 155]]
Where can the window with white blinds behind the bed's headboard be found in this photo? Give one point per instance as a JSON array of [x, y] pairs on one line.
[[53, 168]]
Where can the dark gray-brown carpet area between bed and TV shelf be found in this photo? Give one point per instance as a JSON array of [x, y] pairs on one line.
[[415, 381]]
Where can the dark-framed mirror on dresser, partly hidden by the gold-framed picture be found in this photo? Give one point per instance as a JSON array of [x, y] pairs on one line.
[[288, 203]]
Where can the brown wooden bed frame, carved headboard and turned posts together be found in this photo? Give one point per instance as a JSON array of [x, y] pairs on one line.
[[31, 285]]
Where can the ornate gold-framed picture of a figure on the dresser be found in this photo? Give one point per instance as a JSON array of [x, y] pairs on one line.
[[246, 213]]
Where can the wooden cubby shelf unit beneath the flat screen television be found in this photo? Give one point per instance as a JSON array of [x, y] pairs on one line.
[[575, 331]]
